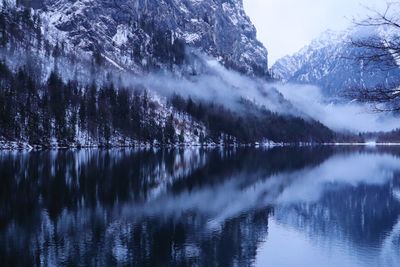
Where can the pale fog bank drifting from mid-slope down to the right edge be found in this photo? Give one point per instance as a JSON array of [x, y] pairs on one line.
[[226, 87]]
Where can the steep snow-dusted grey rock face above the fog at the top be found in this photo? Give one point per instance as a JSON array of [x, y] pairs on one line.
[[144, 34]]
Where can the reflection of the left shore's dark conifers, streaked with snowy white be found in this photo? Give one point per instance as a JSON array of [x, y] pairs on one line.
[[86, 179]]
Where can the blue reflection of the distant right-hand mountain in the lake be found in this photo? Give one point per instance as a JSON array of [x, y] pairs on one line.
[[361, 216]]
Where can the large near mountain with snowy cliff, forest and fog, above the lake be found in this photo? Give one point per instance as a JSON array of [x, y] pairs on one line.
[[128, 73]]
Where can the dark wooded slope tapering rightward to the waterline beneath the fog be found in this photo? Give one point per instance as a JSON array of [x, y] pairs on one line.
[[255, 124]]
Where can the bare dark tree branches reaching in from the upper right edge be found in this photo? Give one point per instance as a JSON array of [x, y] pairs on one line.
[[383, 51]]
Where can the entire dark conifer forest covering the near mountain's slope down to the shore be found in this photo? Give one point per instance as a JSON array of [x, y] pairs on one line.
[[44, 110]]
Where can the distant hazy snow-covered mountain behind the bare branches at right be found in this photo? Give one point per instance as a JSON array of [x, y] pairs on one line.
[[332, 63]]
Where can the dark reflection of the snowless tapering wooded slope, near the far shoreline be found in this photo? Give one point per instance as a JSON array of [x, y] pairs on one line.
[[224, 165]]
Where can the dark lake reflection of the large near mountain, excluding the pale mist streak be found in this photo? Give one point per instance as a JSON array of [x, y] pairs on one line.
[[69, 207]]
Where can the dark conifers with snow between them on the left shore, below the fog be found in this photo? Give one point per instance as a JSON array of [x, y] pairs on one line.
[[36, 112]]
